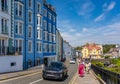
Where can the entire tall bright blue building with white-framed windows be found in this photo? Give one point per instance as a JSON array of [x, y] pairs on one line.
[[34, 32]]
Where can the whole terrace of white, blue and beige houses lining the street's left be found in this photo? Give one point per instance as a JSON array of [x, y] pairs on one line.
[[28, 34]]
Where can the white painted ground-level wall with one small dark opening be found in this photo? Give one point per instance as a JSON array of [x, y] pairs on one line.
[[15, 63]]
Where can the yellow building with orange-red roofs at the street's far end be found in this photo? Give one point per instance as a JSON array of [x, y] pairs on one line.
[[93, 50]]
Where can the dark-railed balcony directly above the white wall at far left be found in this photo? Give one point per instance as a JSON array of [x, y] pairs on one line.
[[9, 51]]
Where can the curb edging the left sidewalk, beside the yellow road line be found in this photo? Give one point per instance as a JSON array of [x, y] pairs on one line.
[[18, 75]]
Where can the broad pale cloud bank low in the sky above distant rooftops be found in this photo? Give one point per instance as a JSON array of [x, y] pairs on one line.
[[107, 34]]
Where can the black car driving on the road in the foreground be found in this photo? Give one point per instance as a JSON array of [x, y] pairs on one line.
[[56, 70]]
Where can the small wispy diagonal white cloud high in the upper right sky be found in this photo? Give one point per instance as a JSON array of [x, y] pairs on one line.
[[106, 9]]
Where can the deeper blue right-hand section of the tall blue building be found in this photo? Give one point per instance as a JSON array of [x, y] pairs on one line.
[[49, 33]]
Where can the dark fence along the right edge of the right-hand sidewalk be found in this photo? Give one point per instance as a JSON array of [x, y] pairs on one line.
[[108, 76]]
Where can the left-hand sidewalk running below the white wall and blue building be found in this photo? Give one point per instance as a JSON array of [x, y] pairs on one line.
[[20, 73]]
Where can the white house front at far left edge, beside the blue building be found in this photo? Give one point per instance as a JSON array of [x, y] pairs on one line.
[[5, 27]]
